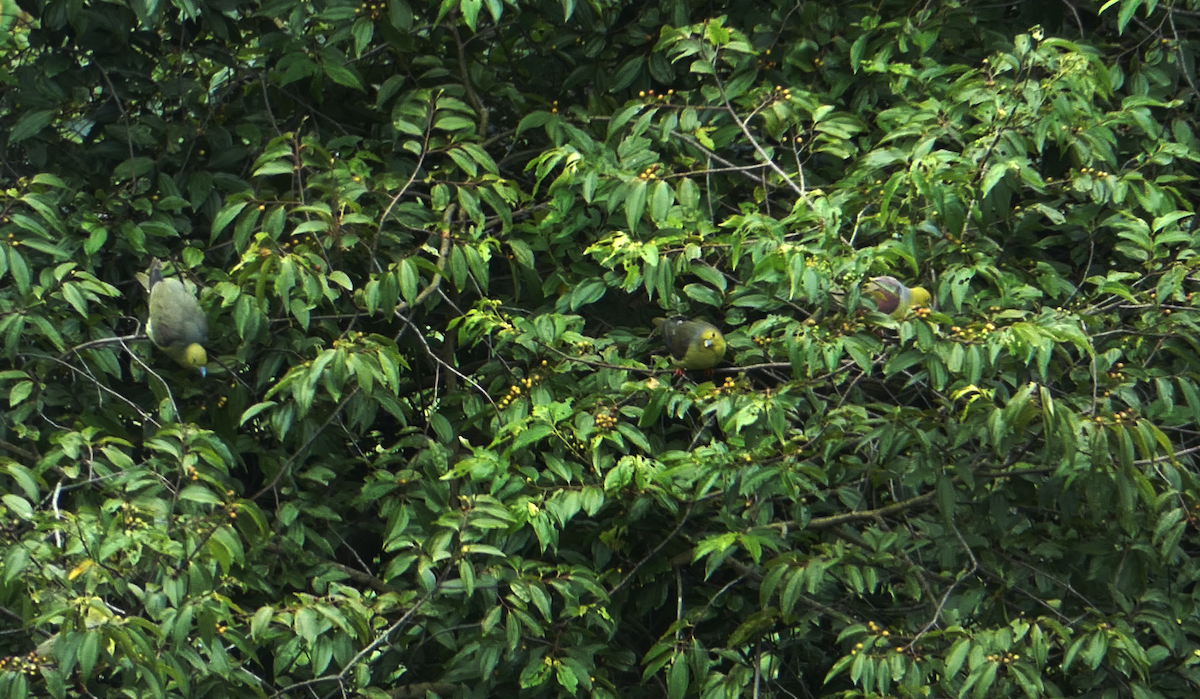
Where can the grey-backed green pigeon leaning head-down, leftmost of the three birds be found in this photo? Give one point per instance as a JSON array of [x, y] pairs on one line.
[[177, 324]]
